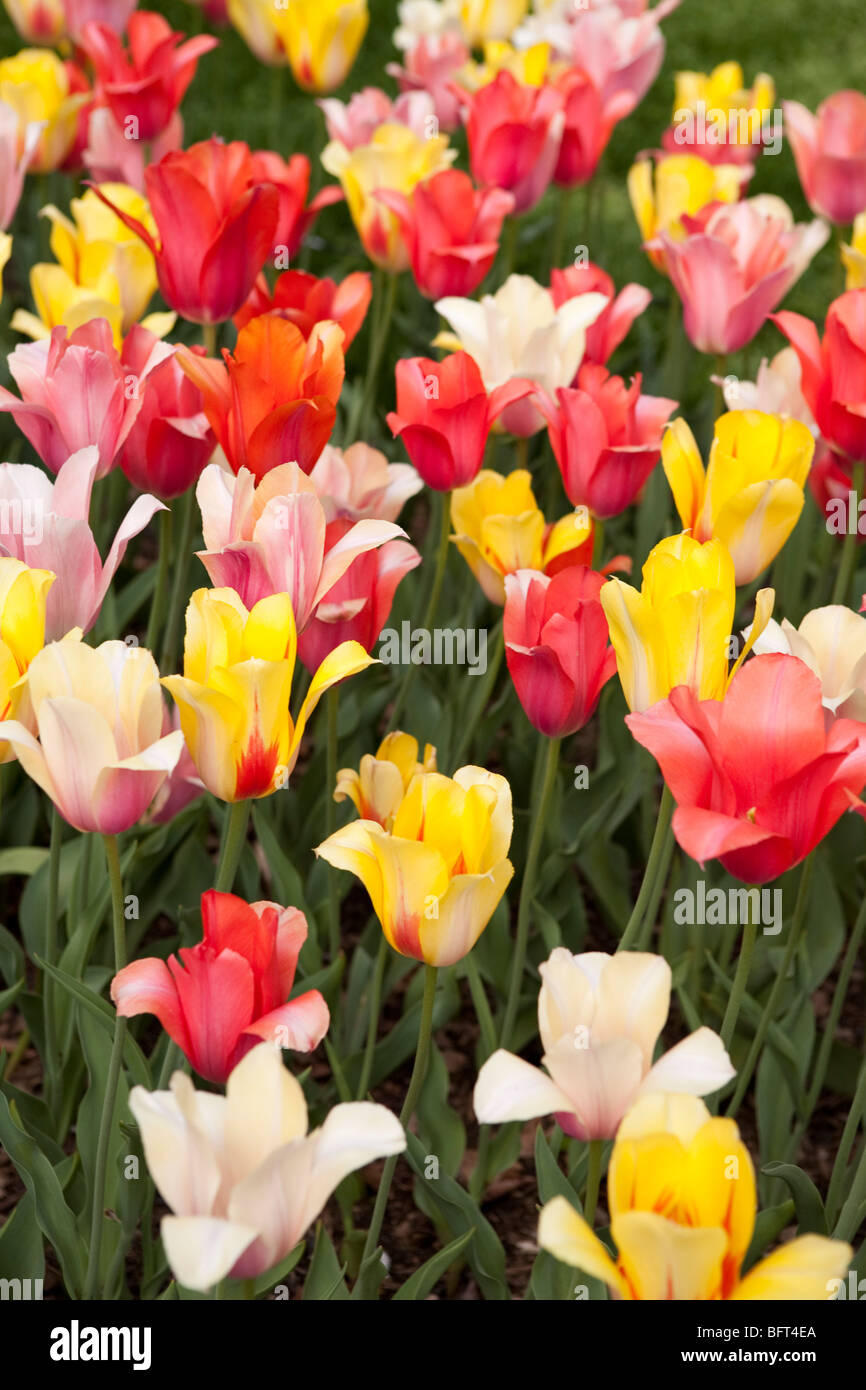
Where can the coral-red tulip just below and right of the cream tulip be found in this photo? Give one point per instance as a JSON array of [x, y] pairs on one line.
[[607, 439]]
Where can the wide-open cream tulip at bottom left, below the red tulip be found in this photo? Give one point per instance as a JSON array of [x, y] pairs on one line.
[[241, 1175]]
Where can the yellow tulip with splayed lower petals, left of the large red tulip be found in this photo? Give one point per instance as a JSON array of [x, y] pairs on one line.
[[104, 272]]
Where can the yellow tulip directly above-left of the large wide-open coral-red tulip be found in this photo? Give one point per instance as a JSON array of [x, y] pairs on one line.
[[678, 629]]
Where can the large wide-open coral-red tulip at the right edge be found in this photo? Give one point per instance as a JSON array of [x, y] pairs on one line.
[[758, 778]]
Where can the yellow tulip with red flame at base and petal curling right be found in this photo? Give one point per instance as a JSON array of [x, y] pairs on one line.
[[234, 694]]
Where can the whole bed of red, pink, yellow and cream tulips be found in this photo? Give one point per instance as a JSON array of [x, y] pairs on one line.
[[159, 728]]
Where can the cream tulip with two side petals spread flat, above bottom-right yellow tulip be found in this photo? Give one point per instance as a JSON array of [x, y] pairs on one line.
[[600, 1018]]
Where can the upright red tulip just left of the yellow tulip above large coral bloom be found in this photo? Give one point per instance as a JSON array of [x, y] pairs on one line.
[[557, 647]]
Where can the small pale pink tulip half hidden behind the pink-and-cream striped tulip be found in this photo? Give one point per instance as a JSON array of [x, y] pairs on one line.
[[359, 483]]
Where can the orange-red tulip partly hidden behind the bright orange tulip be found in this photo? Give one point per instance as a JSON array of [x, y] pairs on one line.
[[307, 301]]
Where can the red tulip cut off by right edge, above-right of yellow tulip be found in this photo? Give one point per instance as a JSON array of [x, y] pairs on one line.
[[833, 372]]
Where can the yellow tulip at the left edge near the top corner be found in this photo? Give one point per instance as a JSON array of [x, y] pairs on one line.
[[37, 85]]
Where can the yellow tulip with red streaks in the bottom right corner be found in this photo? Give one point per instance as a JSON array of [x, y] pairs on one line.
[[683, 1204]]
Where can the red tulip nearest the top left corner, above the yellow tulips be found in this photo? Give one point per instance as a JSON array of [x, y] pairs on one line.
[[144, 85]]
